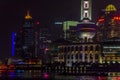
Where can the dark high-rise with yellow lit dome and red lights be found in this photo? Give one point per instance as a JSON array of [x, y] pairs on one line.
[[106, 24]]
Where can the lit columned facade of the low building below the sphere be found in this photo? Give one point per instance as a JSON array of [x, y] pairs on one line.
[[77, 53]]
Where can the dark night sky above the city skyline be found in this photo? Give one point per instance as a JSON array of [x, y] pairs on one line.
[[12, 13]]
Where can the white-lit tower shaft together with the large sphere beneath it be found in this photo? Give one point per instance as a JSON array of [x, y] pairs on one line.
[[86, 29]]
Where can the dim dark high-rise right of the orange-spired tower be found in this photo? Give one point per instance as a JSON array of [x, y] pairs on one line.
[[44, 41]]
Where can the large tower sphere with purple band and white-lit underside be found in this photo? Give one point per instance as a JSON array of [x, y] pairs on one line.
[[86, 30]]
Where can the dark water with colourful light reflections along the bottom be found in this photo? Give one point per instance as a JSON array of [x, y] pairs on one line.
[[38, 75]]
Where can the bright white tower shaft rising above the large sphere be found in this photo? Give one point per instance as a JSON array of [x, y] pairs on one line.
[[86, 9]]
